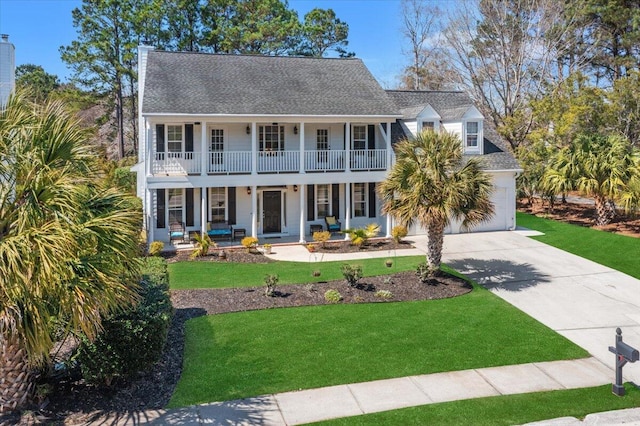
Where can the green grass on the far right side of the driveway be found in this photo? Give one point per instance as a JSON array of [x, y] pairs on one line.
[[616, 251]]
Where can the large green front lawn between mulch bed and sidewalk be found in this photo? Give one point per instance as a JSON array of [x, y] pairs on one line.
[[246, 354]]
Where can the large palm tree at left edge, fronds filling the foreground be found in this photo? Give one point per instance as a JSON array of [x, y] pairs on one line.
[[68, 246]]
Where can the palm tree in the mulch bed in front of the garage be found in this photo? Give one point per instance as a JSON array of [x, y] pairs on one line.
[[431, 183]]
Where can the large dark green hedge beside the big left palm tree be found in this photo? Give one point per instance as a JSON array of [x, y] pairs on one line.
[[131, 341]]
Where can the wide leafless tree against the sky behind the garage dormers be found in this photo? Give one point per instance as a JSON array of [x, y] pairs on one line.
[[504, 55]]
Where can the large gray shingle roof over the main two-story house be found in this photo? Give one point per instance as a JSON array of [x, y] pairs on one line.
[[197, 83]]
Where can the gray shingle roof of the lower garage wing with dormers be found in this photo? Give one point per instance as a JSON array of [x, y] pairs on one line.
[[451, 105]]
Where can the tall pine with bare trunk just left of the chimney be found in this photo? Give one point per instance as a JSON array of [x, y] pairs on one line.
[[103, 57]]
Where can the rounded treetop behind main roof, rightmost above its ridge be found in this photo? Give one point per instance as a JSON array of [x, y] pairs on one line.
[[322, 31]]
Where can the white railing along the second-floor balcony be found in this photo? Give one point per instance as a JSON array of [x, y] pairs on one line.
[[246, 162]]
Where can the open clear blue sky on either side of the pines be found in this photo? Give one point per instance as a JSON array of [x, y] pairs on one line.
[[38, 28]]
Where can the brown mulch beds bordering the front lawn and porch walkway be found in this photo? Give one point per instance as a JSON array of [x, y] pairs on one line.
[[75, 402]]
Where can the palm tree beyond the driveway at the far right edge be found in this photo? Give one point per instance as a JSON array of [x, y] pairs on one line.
[[595, 165]]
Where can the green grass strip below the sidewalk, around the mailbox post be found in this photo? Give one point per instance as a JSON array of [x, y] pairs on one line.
[[504, 410]]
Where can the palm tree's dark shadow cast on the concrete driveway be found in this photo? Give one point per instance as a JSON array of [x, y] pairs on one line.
[[500, 274]]
